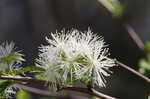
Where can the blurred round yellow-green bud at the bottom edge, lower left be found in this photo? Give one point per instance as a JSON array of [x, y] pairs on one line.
[[23, 95]]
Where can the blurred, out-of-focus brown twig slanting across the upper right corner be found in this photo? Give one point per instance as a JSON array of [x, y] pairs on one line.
[[135, 37]]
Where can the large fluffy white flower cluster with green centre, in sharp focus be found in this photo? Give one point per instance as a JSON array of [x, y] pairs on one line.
[[76, 55]]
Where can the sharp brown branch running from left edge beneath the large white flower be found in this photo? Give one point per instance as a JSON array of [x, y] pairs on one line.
[[62, 87]]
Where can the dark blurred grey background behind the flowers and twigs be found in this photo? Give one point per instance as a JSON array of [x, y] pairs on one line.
[[27, 22]]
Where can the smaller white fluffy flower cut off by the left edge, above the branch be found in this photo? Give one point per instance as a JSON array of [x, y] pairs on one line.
[[9, 58]]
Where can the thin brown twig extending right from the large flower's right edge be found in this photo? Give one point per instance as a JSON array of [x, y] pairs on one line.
[[133, 71]]
